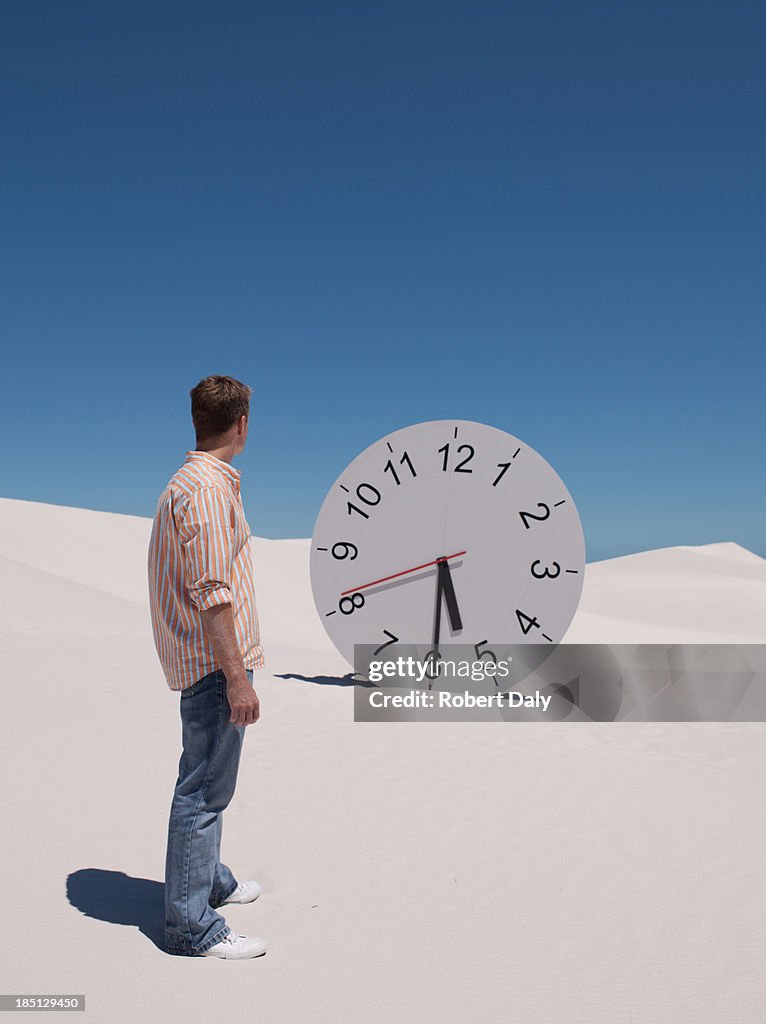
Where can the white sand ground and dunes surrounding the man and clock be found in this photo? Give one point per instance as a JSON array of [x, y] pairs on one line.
[[413, 872]]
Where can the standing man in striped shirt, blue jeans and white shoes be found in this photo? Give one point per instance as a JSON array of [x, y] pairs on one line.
[[206, 630]]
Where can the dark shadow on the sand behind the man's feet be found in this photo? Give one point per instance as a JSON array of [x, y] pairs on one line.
[[120, 900]]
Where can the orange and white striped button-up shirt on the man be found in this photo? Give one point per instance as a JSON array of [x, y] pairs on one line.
[[199, 557]]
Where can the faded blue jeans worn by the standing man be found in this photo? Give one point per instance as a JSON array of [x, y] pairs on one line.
[[196, 881]]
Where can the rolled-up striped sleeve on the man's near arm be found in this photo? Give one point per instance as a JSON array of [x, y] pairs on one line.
[[206, 536]]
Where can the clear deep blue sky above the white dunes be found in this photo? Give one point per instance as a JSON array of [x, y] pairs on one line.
[[546, 217]]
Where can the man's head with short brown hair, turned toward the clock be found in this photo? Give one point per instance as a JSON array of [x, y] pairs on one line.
[[221, 411]]
